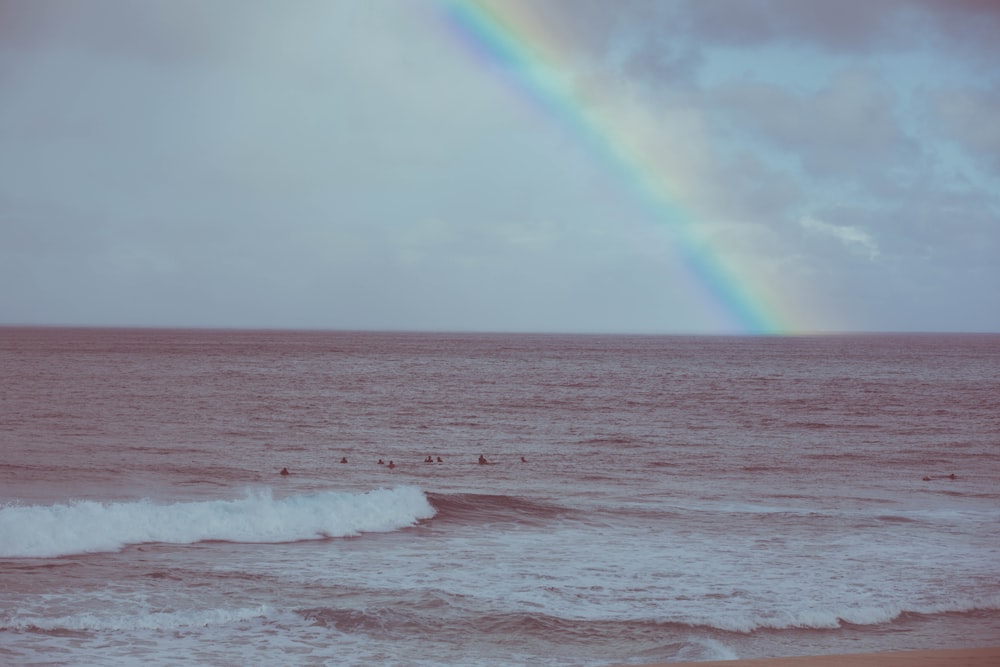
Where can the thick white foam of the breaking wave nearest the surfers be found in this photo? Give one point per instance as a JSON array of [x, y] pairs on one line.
[[42, 531]]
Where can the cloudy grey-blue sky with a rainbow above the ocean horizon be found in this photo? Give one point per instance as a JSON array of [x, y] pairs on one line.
[[635, 166]]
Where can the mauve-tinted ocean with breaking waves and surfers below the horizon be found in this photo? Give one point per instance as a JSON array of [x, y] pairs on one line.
[[646, 498]]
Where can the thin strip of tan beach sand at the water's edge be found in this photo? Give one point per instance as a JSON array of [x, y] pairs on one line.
[[972, 657]]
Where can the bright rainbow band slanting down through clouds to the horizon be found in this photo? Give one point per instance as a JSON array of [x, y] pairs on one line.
[[515, 40]]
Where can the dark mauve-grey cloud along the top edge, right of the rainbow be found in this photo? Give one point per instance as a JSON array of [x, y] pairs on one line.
[[664, 38]]
